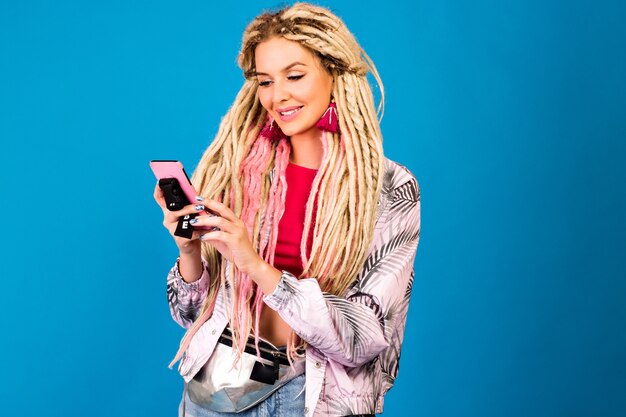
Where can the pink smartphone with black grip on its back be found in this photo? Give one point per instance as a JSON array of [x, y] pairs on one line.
[[171, 174]]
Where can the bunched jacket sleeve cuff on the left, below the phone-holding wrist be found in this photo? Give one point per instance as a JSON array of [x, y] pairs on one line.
[[185, 299]]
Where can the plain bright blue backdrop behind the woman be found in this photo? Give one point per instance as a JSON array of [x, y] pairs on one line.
[[511, 114]]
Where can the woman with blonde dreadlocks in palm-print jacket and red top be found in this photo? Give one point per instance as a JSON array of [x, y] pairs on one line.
[[310, 255]]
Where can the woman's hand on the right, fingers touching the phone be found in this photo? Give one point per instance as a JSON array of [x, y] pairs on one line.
[[232, 240]]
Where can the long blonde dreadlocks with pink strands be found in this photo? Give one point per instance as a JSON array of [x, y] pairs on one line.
[[236, 168]]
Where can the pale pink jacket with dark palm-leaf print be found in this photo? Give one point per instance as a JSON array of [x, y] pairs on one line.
[[354, 341]]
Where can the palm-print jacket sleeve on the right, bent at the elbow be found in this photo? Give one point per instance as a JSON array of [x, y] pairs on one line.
[[354, 329]]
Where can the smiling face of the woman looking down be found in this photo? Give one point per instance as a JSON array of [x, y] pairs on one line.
[[292, 78]]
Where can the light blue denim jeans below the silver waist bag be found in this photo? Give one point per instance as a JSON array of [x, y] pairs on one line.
[[287, 401]]
